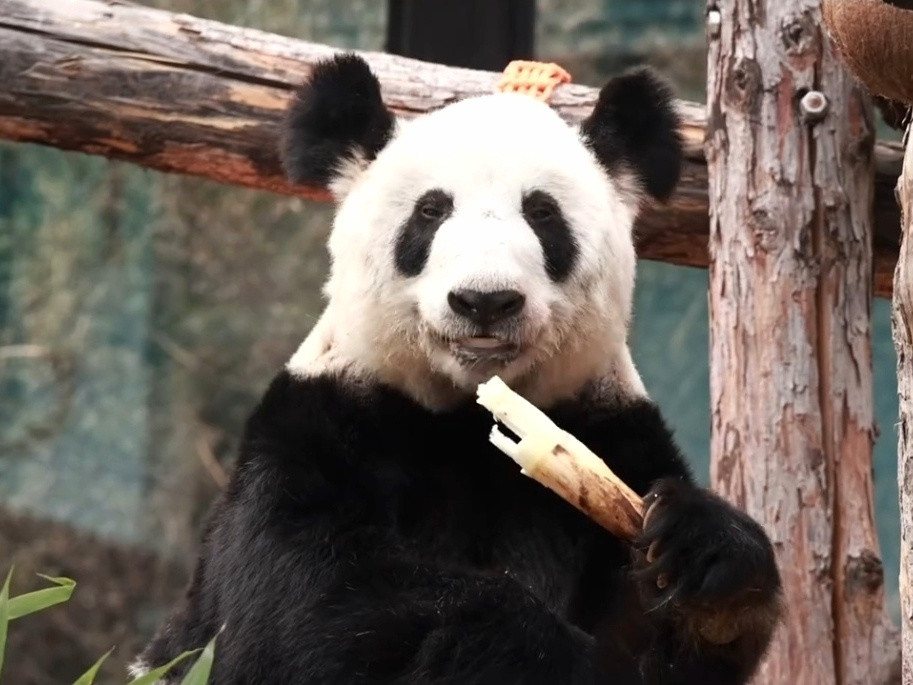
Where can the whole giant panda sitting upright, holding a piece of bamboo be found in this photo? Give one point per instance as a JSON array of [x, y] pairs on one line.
[[370, 534]]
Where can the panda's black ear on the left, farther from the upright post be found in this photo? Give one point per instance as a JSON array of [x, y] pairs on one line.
[[337, 118]]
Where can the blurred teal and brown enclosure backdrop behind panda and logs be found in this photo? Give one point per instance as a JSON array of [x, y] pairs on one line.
[[142, 314]]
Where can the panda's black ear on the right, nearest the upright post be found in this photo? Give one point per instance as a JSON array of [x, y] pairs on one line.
[[634, 124]]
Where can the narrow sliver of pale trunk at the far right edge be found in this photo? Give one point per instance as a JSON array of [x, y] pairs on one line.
[[903, 341]]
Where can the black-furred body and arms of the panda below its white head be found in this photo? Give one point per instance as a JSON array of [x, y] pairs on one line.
[[364, 539]]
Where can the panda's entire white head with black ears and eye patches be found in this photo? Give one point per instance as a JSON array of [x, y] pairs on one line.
[[487, 237]]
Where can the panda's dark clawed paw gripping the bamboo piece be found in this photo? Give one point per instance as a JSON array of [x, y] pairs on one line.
[[707, 564]]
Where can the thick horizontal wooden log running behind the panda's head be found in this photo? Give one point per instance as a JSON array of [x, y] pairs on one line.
[[186, 95]]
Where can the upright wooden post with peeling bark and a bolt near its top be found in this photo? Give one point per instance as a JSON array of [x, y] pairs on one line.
[[791, 371]]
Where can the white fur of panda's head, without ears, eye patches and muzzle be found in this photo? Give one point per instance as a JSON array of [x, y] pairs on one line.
[[486, 152]]
